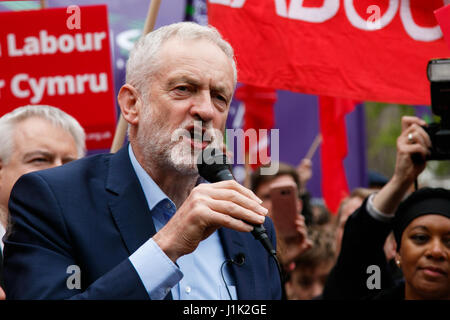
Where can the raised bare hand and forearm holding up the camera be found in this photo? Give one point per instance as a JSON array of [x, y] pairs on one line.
[[412, 141]]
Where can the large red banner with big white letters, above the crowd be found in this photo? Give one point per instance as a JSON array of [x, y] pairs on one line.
[[374, 50]]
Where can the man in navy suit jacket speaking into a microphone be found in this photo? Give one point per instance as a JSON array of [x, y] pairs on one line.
[[135, 224]]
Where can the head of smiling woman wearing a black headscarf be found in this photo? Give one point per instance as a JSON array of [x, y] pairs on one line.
[[422, 232]]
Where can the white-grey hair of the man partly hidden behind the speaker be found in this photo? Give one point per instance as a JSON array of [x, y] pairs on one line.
[[54, 115]]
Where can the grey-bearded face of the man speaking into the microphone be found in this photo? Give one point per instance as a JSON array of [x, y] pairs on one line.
[[193, 85]]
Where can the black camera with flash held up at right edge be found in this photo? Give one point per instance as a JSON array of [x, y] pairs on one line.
[[438, 71]]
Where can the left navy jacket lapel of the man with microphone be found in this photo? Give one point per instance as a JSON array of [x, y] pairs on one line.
[[127, 202]]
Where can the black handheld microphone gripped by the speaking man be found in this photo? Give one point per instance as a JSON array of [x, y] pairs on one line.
[[212, 166]]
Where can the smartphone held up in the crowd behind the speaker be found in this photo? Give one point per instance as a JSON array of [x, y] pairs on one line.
[[285, 210]]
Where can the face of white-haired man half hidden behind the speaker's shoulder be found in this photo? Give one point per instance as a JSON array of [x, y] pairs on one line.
[[37, 145]]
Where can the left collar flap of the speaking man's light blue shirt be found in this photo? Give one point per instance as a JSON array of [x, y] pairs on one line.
[[152, 191]]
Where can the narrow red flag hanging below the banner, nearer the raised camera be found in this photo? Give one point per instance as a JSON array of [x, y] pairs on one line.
[[332, 113]]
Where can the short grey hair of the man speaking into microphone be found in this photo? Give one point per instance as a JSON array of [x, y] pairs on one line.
[[143, 59]]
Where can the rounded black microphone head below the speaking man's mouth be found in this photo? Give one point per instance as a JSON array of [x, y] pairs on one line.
[[210, 163]]
